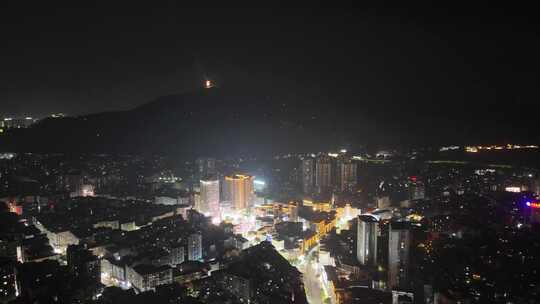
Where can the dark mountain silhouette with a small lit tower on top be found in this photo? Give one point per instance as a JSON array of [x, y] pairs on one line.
[[215, 121]]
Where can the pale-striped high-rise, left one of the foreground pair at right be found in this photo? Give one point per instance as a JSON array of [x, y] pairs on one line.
[[366, 246]]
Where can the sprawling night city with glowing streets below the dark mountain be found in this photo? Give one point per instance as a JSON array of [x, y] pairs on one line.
[[311, 227]]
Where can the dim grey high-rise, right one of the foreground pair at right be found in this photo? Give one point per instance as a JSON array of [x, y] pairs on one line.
[[399, 241]]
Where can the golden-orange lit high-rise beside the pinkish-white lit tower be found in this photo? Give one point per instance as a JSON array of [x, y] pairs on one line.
[[239, 191]]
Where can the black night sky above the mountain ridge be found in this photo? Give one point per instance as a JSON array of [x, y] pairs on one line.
[[458, 64]]
